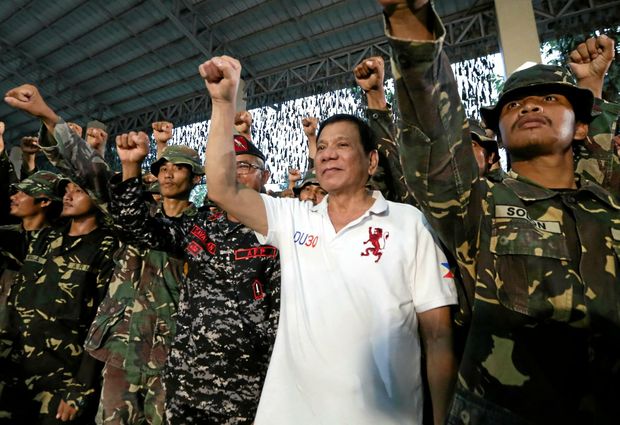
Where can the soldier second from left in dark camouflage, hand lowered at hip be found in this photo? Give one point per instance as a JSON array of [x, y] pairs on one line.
[[46, 375]]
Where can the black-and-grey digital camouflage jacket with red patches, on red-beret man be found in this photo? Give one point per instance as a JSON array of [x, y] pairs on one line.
[[228, 309]]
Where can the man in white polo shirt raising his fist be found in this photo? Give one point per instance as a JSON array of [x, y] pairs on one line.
[[360, 275]]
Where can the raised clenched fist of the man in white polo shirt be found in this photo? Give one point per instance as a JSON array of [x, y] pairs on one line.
[[221, 75]]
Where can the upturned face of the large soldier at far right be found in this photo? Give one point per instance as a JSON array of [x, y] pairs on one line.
[[534, 126]]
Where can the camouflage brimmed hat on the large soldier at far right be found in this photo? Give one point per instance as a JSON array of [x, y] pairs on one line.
[[539, 80]]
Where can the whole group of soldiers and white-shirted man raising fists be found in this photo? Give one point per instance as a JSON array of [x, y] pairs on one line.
[[405, 278]]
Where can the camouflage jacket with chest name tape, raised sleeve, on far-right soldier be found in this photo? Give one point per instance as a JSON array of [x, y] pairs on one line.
[[544, 342]]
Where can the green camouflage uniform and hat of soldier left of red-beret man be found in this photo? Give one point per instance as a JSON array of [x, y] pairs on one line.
[[135, 323]]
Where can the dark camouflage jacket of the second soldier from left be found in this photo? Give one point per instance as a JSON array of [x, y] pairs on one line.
[[51, 306]]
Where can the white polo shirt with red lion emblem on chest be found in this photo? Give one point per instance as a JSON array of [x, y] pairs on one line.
[[347, 349]]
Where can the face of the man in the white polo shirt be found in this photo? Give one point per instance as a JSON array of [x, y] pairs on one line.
[[341, 163]]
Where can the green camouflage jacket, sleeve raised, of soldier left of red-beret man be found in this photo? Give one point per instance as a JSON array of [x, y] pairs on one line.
[[135, 323]]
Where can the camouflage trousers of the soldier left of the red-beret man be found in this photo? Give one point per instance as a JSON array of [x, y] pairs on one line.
[[126, 403]]
